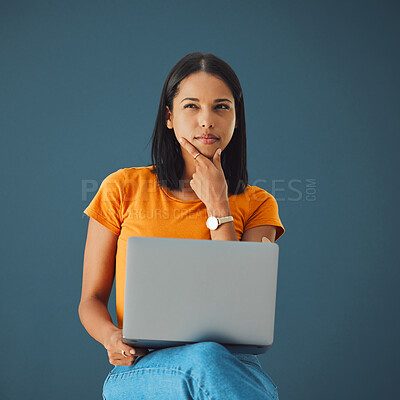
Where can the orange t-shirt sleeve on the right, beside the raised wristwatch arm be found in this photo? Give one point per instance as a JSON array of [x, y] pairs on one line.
[[264, 211]]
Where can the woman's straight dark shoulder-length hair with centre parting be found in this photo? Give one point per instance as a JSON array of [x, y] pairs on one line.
[[166, 153]]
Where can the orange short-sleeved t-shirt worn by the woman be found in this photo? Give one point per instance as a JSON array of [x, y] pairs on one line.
[[130, 203]]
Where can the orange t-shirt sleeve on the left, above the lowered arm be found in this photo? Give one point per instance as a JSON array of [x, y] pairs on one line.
[[105, 206]]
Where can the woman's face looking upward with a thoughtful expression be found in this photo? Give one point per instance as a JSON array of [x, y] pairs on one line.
[[203, 106]]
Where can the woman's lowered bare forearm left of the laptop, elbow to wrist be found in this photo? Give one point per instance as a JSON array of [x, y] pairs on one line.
[[96, 319]]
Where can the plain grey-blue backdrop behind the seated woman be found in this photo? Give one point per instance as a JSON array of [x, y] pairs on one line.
[[80, 84]]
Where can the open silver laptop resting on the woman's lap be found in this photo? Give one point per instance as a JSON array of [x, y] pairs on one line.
[[183, 291]]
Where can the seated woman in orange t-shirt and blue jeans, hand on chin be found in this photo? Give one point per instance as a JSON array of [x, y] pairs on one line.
[[201, 112]]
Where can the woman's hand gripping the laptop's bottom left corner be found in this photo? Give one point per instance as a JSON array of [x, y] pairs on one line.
[[114, 346]]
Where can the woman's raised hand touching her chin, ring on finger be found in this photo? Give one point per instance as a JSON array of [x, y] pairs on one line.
[[208, 182]]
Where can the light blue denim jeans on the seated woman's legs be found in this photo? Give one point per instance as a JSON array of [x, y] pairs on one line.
[[201, 371]]
